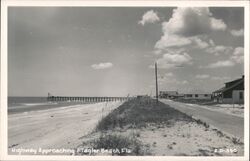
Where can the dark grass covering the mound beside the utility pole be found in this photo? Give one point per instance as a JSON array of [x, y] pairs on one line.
[[138, 112]]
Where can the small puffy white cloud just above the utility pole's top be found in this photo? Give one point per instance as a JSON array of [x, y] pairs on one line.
[[174, 60]]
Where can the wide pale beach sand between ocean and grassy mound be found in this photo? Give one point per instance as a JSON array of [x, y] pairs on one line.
[[55, 128]]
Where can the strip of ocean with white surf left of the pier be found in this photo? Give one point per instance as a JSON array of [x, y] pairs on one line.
[[26, 104]]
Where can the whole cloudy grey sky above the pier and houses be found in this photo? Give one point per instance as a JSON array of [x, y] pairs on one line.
[[90, 51]]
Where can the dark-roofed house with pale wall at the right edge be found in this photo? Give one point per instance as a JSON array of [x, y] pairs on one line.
[[232, 92]]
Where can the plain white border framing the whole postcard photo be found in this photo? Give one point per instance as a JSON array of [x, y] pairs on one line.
[[4, 85]]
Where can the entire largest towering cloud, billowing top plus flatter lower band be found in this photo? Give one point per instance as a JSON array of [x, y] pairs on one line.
[[188, 27]]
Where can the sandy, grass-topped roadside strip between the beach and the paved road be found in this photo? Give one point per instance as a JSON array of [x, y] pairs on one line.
[[141, 127]]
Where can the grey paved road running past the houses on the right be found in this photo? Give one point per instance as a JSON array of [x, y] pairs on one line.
[[231, 124]]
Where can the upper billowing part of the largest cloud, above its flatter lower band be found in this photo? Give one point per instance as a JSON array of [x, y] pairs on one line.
[[192, 21]]
